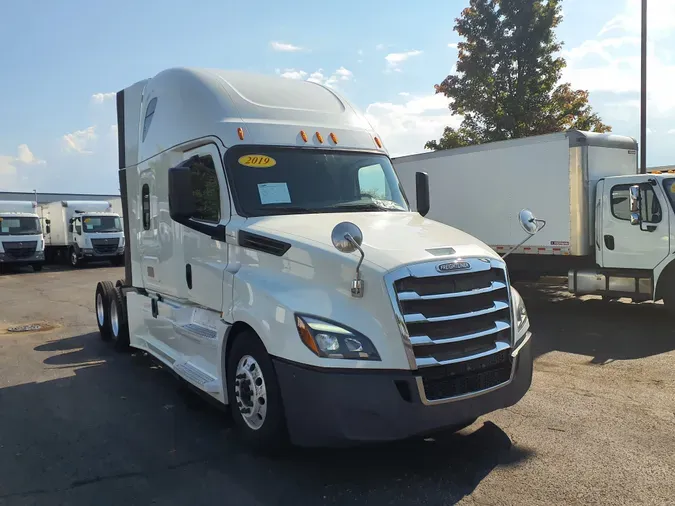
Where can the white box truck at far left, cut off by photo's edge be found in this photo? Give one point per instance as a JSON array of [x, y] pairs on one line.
[[21, 239]]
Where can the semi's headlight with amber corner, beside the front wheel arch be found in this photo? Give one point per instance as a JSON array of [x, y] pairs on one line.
[[329, 340]]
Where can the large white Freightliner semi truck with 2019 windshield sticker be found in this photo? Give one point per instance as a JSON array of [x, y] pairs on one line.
[[274, 264]]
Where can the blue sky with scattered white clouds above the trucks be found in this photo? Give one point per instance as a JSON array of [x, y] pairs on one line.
[[62, 61]]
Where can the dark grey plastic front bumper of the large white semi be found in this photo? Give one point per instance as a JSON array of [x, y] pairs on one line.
[[330, 408]]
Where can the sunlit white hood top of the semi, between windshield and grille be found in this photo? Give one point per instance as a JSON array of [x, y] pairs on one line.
[[390, 239]]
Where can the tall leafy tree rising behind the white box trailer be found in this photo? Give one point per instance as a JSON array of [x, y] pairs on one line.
[[507, 83]]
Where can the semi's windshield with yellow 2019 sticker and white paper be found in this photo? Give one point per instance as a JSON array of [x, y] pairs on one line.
[[268, 181]]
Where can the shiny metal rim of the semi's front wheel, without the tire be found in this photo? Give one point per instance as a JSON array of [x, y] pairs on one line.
[[250, 392]]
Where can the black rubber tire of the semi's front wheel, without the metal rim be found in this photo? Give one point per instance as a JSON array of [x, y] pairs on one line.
[[272, 435]]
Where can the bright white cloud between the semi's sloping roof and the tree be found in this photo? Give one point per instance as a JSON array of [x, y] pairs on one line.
[[406, 127]]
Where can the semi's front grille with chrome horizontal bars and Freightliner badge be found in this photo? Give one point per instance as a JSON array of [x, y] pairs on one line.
[[458, 324]]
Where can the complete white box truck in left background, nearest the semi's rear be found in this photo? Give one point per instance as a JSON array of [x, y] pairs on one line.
[[83, 231]]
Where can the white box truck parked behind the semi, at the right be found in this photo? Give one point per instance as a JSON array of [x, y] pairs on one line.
[[608, 228]]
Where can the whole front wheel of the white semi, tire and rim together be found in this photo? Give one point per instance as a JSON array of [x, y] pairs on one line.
[[254, 393]]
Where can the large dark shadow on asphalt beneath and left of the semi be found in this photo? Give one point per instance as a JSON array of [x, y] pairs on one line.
[[116, 427]]
